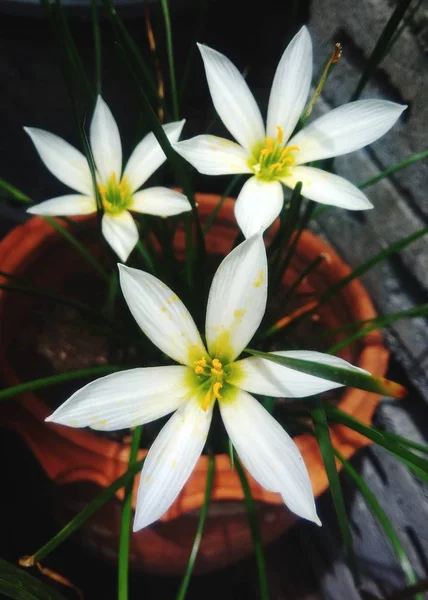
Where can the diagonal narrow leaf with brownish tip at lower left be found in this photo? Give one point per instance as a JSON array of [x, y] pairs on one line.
[[82, 516]]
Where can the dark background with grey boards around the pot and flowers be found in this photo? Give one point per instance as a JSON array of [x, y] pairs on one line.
[[307, 562]]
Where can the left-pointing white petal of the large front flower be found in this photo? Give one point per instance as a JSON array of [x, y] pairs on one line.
[[125, 399]]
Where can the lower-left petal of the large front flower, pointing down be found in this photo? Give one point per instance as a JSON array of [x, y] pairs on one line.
[[170, 461]]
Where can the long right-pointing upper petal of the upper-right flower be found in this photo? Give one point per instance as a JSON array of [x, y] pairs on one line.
[[345, 129]]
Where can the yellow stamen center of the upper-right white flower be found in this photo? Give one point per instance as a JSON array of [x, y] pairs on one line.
[[270, 160]]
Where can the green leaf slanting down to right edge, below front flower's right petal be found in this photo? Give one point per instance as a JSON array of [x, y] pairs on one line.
[[416, 463]]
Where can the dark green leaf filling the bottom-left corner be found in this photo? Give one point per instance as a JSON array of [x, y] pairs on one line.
[[17, 584]]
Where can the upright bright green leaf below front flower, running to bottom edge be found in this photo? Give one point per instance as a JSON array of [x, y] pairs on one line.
[[125, 522]]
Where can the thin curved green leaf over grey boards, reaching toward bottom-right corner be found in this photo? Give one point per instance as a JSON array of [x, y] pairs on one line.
[[382, 519]]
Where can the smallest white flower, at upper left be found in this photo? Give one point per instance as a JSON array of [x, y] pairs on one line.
[[118, 190]]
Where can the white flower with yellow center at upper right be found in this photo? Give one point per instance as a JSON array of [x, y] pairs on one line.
[[268, 154]]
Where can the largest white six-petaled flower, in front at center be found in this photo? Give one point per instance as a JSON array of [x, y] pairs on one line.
[[236, 304]]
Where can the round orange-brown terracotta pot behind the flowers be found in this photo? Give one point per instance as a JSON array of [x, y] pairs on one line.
[[81, 462]]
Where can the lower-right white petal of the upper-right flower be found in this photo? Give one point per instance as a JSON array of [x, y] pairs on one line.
[[328, 188]]
